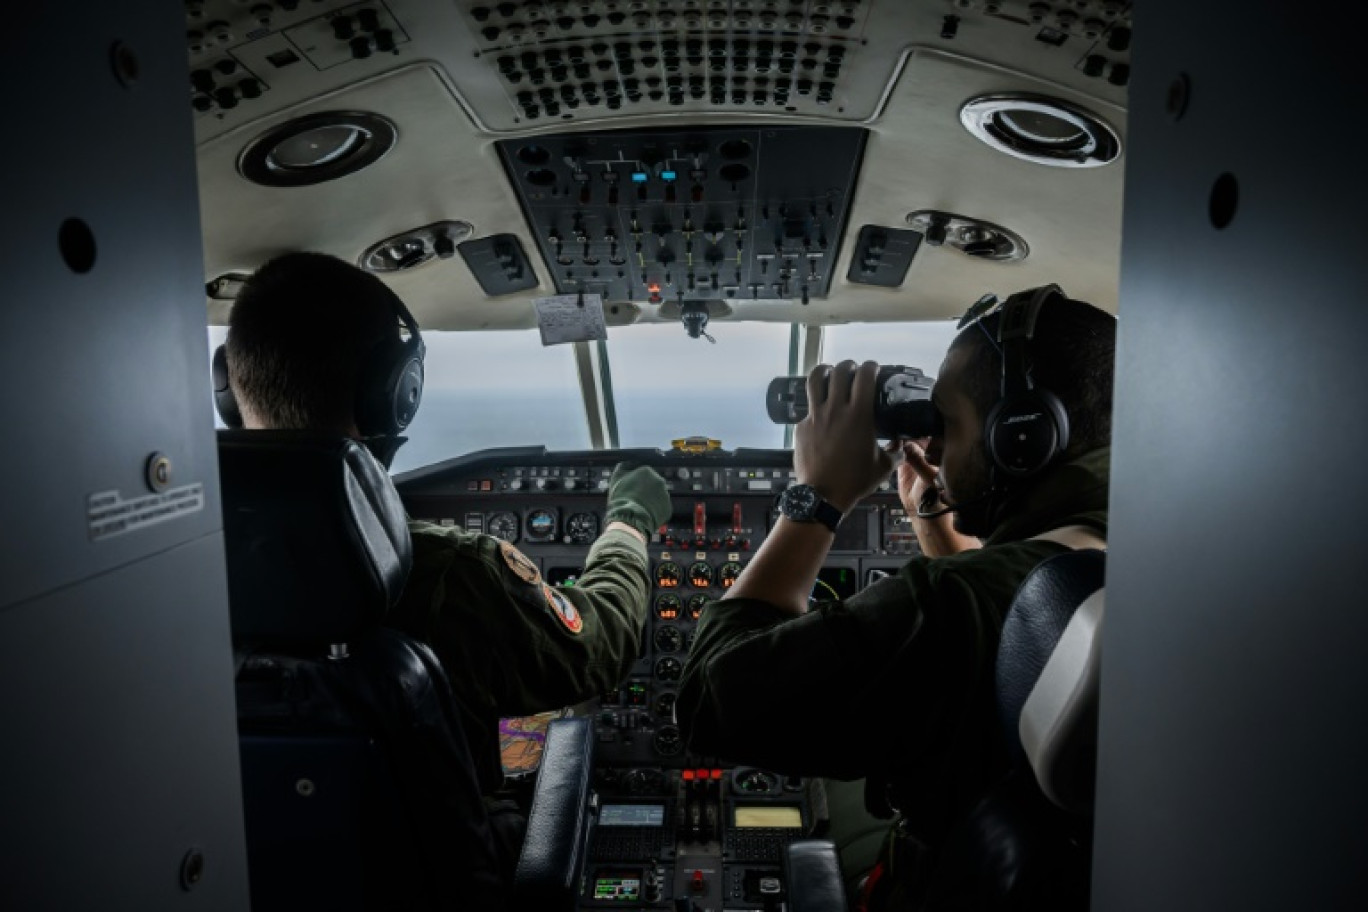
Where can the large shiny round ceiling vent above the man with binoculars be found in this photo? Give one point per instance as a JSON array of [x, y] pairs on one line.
[[1042, 129]]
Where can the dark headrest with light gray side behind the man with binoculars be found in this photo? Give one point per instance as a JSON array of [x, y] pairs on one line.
[[1049, 675]]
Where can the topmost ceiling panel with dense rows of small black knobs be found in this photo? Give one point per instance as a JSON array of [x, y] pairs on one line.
[[598, 59]]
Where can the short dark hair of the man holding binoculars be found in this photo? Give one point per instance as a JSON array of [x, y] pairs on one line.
[[1073, 355]]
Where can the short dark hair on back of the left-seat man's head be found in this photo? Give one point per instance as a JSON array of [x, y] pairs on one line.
[[299, 334]]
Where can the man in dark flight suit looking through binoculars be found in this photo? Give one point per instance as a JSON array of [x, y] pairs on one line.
[[895, 684]]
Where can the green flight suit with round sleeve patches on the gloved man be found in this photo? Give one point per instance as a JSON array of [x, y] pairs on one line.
[[512, 645]]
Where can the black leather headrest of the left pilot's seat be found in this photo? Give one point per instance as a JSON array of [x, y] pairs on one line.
[[318, 544]]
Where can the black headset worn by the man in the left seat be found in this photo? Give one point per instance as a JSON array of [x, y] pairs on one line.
[[389, 386]]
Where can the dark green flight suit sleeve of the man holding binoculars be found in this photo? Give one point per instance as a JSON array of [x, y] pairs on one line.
[[839, 690]]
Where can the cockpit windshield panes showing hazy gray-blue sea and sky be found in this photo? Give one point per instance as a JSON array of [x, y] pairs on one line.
[[505, 389]]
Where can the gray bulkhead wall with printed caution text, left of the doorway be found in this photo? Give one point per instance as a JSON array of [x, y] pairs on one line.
[[120, 770]]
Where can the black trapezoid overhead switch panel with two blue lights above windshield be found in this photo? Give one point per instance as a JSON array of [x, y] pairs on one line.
[[666, 217]]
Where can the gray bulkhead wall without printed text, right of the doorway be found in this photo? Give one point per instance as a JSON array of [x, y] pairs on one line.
[[1235, 757]]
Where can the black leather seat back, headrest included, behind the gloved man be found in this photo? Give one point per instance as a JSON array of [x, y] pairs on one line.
[[359, 788]]
